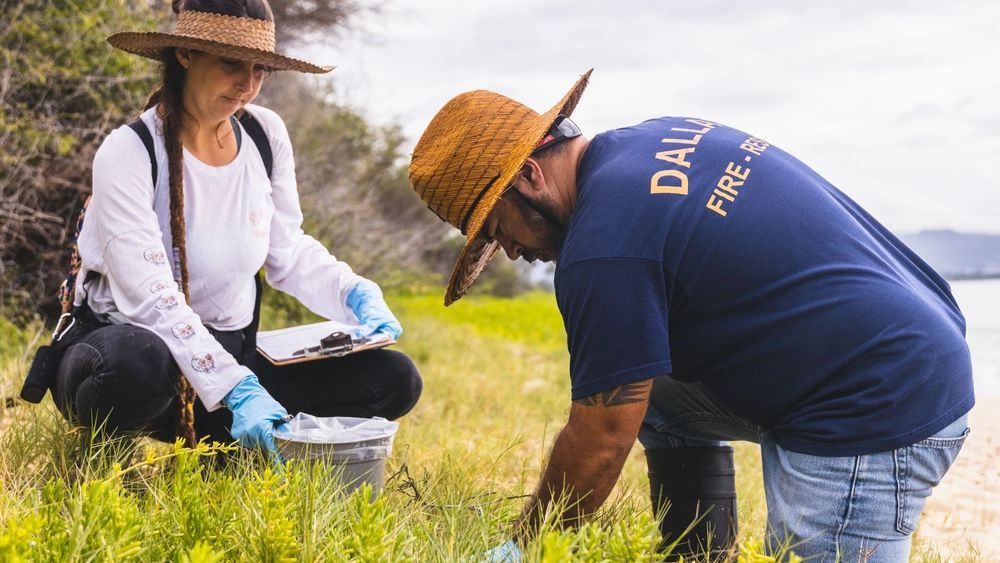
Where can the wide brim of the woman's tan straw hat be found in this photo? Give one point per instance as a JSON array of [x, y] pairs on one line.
[[155, 45]]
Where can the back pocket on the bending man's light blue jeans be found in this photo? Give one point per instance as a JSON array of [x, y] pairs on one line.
[[920, 467]]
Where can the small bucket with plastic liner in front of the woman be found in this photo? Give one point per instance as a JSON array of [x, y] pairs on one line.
[[357, 447]]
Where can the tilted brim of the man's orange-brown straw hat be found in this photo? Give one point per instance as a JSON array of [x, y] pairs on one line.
[[476, 253]]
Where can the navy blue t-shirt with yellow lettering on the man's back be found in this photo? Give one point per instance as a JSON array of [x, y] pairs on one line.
[[702, 252]]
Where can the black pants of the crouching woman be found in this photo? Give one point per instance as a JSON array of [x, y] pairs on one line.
[[124, 378]]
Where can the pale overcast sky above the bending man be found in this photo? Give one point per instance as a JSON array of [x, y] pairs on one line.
[[897, 103]]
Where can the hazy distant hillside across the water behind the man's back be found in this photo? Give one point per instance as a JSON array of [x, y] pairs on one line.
[[958, 255]]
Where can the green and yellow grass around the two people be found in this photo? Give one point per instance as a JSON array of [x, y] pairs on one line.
[[496, 392]]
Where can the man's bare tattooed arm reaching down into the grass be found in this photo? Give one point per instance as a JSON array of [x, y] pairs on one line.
[[588, 455]]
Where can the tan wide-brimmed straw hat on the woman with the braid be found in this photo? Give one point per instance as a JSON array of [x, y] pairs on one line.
[[244, 39]]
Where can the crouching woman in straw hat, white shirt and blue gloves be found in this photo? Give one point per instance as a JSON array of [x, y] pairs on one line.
[[211, 221]]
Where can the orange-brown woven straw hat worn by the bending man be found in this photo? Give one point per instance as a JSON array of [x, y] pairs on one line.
[[467, 157]]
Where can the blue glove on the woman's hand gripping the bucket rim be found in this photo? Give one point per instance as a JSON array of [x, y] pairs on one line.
[[255, 413]]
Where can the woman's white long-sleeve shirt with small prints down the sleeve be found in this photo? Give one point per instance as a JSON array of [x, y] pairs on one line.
[[236, 221]]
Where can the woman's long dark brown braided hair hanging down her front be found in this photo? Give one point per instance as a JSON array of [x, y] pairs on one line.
[[168, 98]]
